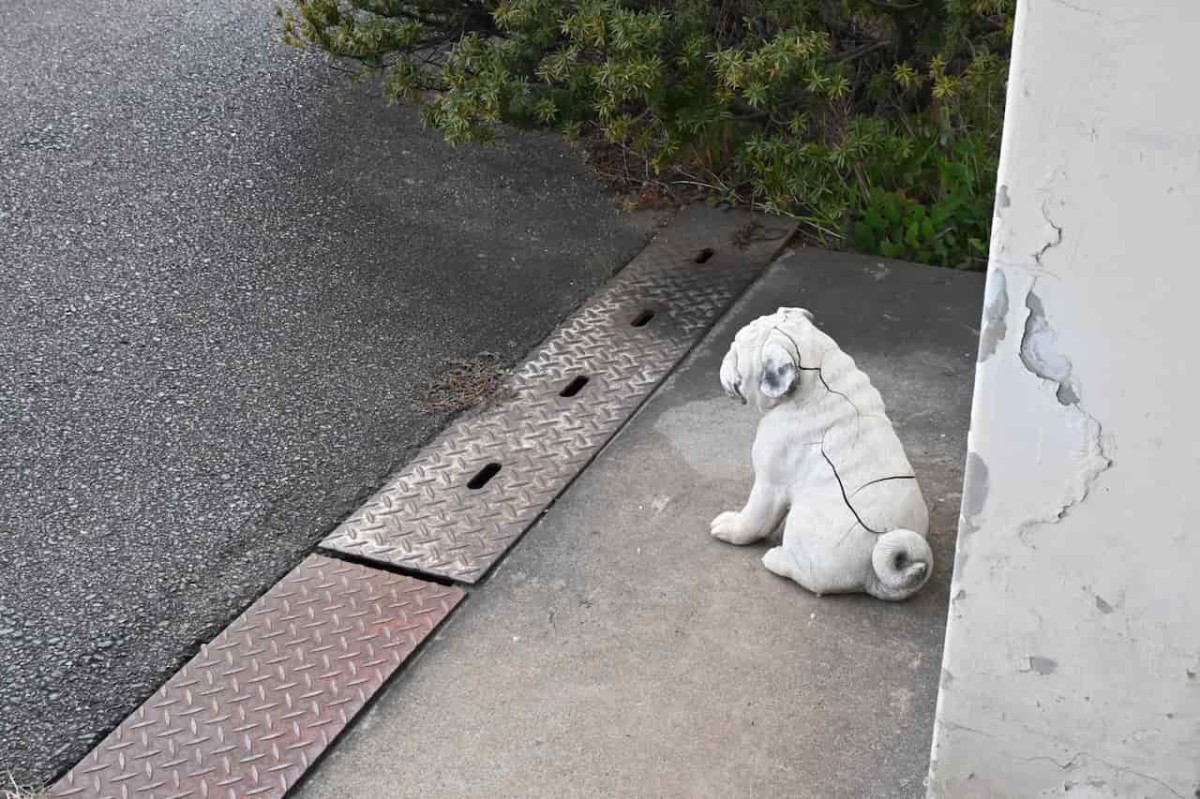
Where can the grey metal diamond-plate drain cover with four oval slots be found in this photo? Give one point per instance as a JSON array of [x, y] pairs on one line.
[[452, 513]]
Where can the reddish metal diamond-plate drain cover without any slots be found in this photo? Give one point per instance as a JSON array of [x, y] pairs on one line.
[[251, 713]]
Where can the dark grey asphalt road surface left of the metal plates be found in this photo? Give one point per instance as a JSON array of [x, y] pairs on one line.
[[226, 280]]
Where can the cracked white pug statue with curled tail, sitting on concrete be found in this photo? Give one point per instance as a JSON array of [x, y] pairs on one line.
[[827, 458]]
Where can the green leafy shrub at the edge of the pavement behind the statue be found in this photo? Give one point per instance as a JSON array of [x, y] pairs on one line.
[[871, 121]]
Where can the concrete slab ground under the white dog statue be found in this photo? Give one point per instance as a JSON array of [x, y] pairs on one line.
[[622, 652]]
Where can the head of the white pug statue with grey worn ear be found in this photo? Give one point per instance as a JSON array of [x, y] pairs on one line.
[[767, 358]]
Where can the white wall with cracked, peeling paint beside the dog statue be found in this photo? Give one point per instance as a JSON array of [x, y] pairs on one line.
[[1073, 653]]
